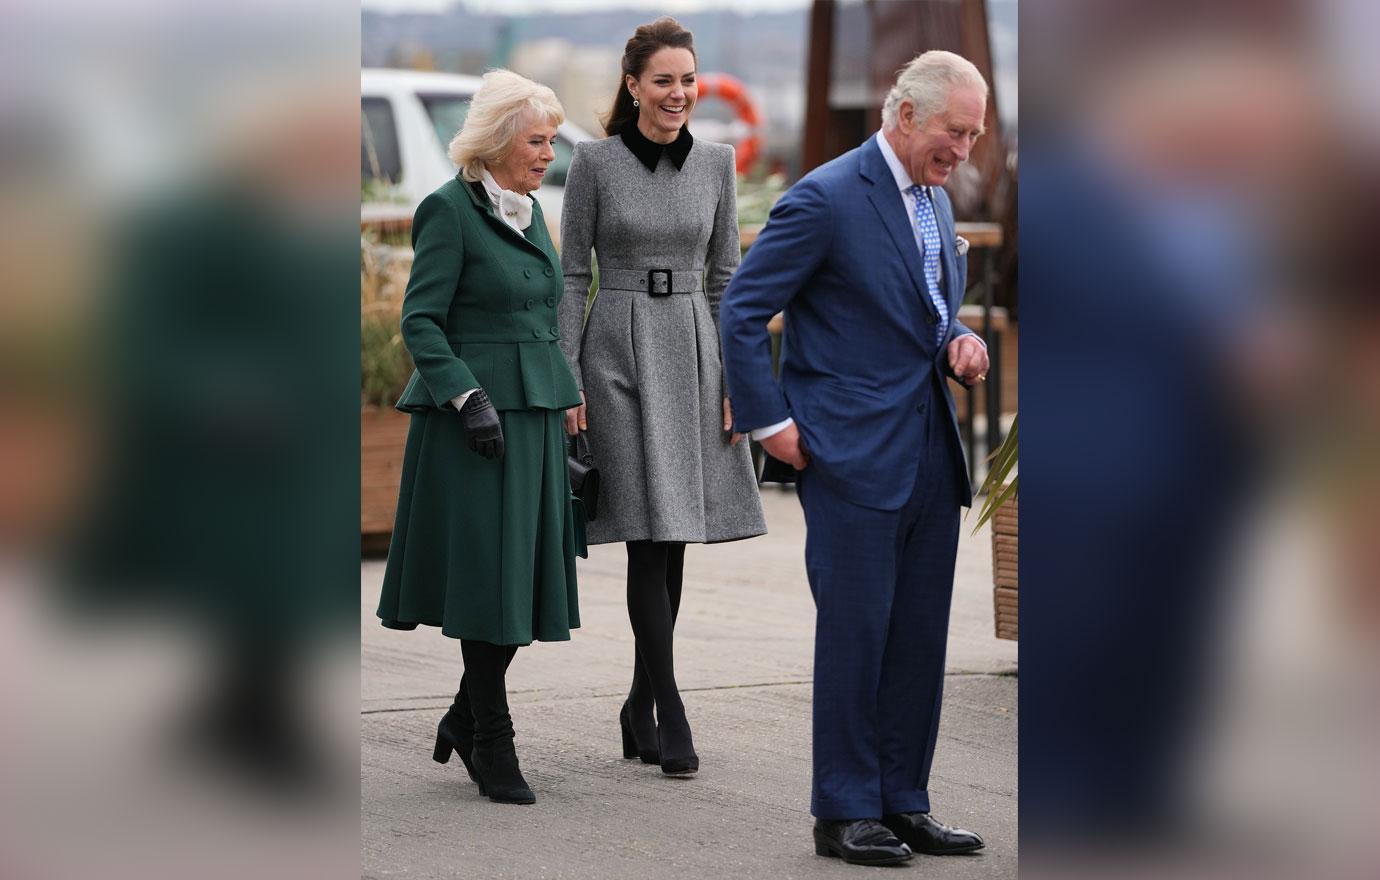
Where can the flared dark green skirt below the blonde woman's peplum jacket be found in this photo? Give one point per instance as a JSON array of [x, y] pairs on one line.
[[485, 550]]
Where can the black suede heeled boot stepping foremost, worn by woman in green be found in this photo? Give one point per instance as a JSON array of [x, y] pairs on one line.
[[495, 758]]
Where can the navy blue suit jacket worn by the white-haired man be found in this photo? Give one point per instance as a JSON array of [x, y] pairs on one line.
[[860, 362]]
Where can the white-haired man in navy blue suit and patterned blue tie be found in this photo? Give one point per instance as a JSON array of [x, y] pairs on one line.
[[862, 257]]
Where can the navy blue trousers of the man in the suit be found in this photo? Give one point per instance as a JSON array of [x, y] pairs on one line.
[[883, 583]]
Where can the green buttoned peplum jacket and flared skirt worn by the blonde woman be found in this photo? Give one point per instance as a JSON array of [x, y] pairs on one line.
[[485, 550]]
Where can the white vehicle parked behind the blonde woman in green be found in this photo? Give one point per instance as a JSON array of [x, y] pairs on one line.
[[408, 119]]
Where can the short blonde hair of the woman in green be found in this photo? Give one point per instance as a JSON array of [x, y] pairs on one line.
[[495, 114]]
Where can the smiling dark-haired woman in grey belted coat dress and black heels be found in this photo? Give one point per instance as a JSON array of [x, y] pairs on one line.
[[659, 210]]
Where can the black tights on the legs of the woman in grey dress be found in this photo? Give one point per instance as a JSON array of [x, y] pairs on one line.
[[655, 579]]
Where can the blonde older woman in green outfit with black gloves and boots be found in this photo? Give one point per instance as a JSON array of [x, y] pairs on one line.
[[488, 532]]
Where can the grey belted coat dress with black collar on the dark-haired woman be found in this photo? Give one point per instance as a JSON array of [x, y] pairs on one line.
[[649, 365]]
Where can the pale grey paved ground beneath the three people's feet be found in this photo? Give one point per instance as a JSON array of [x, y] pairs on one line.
[[743, 660]]
